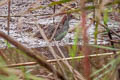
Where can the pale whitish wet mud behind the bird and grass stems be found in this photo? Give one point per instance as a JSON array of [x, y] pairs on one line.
[[23, 25]]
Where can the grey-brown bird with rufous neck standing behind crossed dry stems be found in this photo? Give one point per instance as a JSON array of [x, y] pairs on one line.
[[61, 31]]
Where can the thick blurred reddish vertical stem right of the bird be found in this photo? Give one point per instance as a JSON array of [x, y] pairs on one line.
[[85, 48]]
